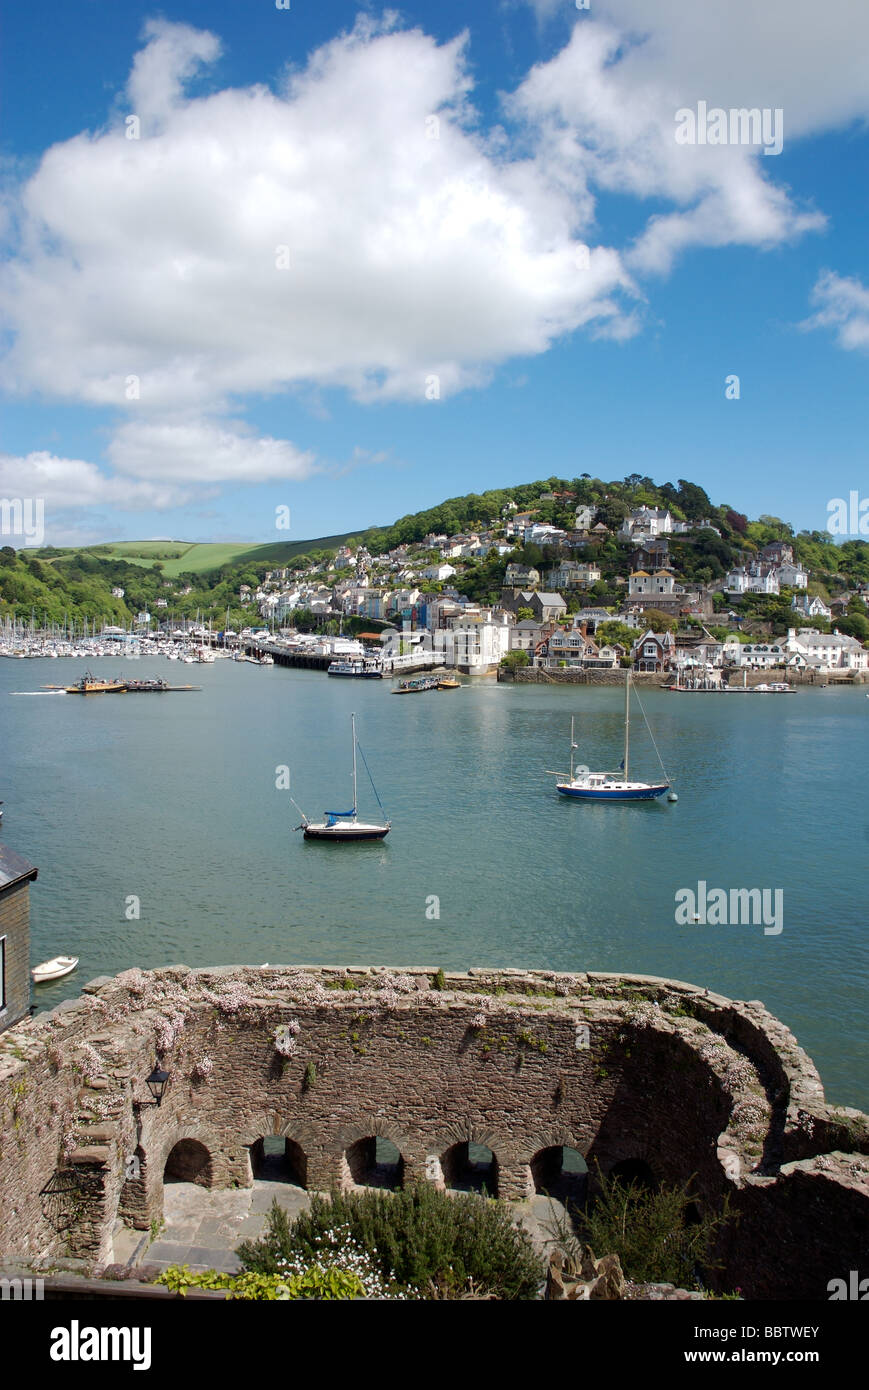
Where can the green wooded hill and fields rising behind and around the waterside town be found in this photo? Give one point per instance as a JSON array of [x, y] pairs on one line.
[[205, 578]]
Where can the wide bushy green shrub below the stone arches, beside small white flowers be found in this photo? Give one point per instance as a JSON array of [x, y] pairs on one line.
[[421, 1241]]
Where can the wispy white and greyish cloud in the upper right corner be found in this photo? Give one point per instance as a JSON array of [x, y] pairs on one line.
[[606, 108]]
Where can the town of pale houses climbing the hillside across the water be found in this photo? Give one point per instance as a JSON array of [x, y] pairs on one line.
[[575, 610]]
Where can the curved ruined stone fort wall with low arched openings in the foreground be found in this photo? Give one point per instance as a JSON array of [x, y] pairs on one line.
[[637, 1075]]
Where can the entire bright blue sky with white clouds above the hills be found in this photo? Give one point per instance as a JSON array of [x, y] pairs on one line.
[[163, 376]]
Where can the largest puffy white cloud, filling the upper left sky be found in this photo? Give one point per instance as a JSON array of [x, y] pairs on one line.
[[407, 256]]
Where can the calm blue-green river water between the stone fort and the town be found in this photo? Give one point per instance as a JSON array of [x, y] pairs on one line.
[[174, 801]]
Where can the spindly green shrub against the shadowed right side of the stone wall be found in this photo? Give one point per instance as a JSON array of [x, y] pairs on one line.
[[650, 1232]]
